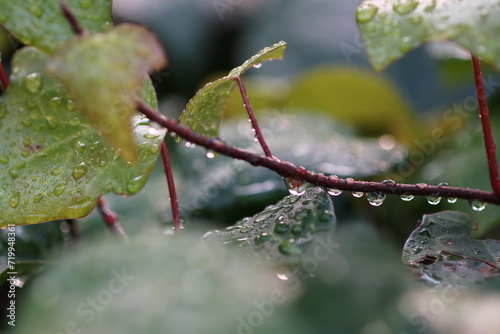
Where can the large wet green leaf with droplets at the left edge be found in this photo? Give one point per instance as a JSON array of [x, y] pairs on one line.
[[54, 164]]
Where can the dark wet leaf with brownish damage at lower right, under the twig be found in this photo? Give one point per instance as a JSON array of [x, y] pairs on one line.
[[442, 250]]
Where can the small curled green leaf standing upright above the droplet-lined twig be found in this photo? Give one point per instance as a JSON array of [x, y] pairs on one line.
[[203, 113]]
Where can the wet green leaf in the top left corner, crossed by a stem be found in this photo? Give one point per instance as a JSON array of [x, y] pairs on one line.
[[42, 24]]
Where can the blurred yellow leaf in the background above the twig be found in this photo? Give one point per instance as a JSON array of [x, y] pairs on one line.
[[357, 97]]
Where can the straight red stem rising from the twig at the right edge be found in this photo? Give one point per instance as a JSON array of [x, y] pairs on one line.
[[484, 112]]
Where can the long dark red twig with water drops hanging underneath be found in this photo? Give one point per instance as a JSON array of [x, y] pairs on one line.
[[287, 169]]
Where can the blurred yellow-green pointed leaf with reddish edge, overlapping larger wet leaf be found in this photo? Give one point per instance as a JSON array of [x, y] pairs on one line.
[[103, 74]]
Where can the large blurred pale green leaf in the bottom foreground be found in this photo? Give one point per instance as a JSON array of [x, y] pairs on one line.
[[153, 285]]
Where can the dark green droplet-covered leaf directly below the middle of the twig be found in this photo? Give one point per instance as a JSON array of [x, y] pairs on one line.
[[286, 232]]
